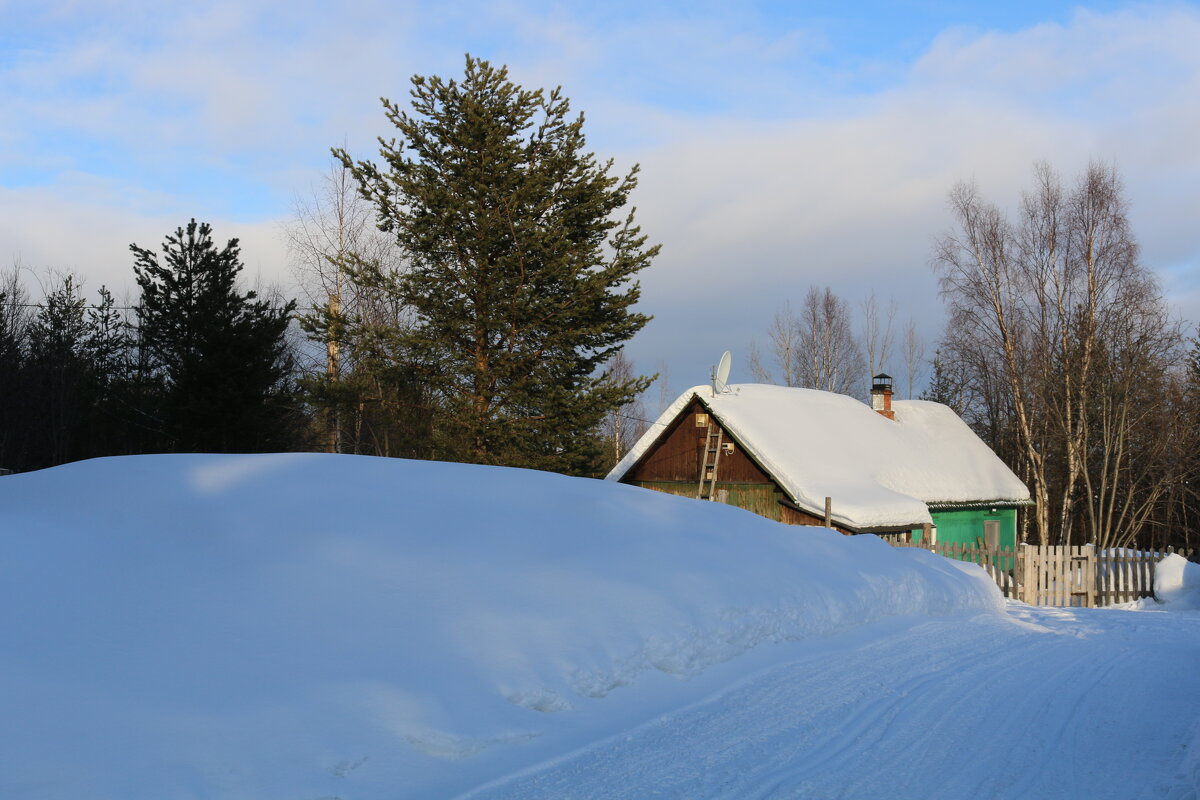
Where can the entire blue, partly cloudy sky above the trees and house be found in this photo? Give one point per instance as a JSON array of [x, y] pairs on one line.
[[782, 145]]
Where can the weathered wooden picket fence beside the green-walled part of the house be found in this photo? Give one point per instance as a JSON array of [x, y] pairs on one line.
[[1063, 576]]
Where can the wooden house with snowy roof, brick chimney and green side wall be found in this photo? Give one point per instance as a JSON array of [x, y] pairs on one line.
[[807, 458]]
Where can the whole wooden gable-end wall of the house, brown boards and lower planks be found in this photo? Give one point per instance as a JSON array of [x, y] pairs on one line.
[[674, 464]]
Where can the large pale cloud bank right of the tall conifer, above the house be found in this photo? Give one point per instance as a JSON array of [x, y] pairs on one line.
[[753, 213]]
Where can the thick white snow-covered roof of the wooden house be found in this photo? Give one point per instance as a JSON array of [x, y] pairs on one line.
[[878, 472]]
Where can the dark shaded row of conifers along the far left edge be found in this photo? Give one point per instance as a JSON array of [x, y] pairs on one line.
[[195, 366]]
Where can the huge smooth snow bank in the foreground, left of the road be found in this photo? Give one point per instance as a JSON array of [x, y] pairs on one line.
[[297, 625]]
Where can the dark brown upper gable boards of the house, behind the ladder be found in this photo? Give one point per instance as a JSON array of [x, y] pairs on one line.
[[677, 458]]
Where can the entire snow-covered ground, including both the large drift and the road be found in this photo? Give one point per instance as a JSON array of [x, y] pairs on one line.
[[316, 627]]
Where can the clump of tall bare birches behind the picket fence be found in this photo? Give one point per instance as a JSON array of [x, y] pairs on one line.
[[1061, 305]]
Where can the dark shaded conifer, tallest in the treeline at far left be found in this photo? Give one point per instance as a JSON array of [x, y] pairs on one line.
[[219, 362]]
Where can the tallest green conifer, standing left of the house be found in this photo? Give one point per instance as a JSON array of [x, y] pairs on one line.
[[520, 264]]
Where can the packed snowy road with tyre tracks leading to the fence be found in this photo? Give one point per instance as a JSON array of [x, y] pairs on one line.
[[1046, 703]]
